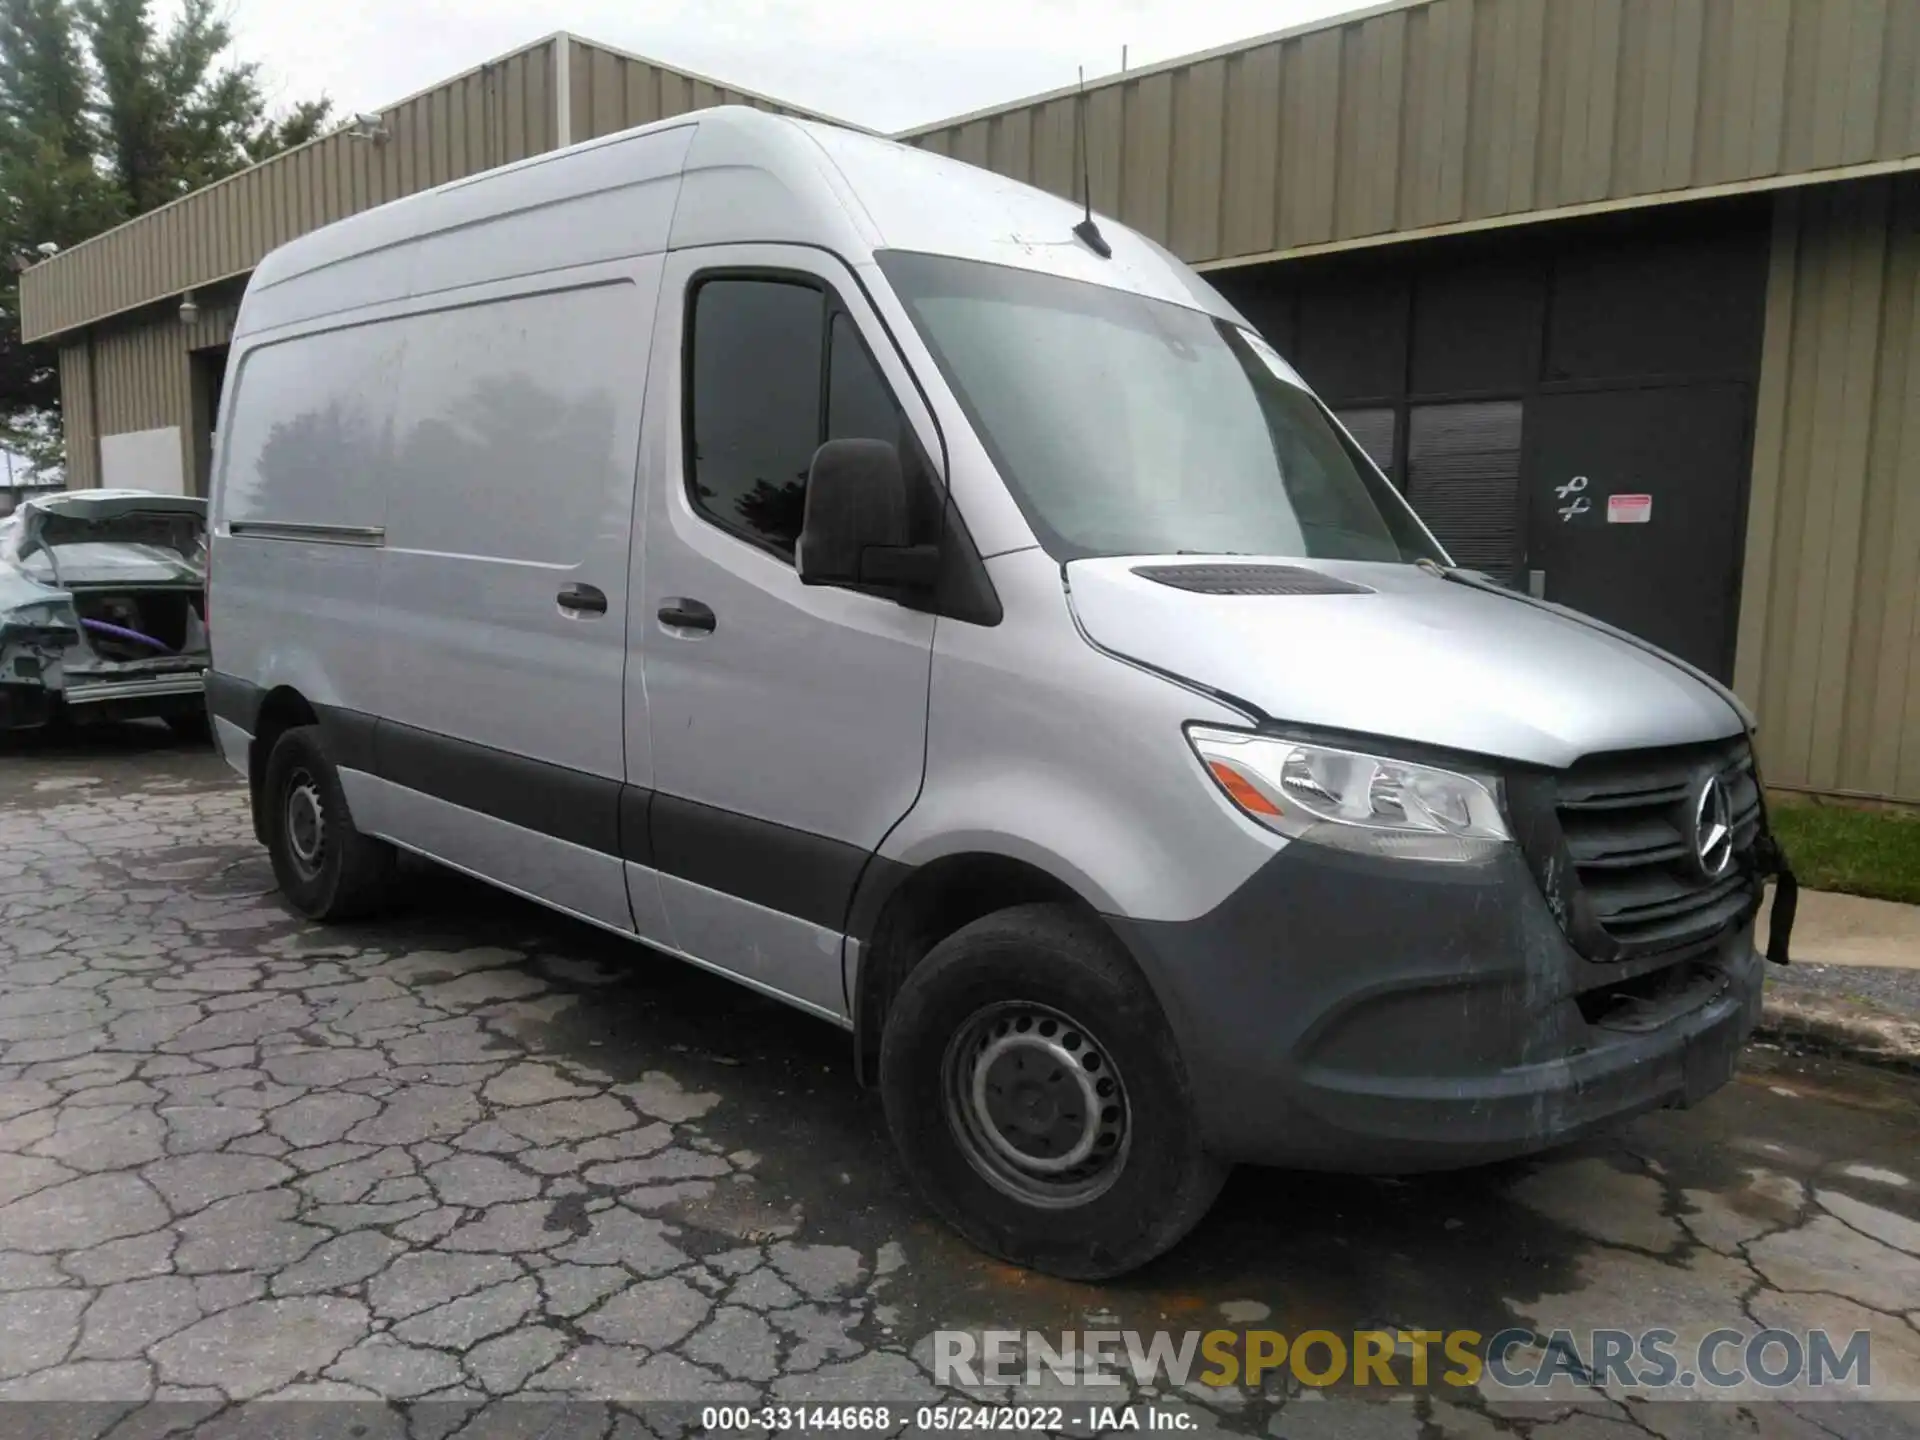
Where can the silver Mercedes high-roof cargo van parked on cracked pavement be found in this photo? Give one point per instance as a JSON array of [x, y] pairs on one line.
[[892, 588]]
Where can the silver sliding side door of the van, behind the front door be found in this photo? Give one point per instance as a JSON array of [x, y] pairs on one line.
[[502, 740]]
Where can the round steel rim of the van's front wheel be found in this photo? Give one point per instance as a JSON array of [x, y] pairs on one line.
[[1036, 1105]]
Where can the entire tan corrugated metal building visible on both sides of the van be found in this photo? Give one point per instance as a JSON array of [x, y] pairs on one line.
[[1623, 293]]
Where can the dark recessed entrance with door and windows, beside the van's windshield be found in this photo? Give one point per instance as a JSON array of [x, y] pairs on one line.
[[1614, 358]]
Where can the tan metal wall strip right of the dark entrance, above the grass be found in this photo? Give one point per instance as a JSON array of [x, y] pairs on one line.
[[1831, 604]]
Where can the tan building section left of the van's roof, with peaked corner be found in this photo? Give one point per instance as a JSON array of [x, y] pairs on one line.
[[139, 381]]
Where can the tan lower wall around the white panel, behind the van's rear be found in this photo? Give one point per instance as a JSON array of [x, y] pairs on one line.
[[133, 377]]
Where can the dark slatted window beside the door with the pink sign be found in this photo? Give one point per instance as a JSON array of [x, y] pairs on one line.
[[1464, 479]]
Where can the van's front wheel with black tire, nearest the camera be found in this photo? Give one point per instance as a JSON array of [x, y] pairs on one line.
[[957, 1022]]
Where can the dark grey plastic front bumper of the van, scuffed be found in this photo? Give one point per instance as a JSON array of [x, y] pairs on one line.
[[1360, 1015]]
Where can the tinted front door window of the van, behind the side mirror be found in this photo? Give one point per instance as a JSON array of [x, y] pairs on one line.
[[777, 368]]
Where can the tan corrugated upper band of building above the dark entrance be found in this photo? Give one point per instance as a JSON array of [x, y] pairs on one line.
[[1451, 112]]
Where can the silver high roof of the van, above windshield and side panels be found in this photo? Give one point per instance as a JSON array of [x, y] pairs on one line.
[[723, 176]]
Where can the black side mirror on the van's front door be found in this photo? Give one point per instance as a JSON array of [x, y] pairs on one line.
[[855, 529]]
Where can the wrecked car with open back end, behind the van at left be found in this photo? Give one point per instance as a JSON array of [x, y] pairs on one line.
[[103, 610]]
